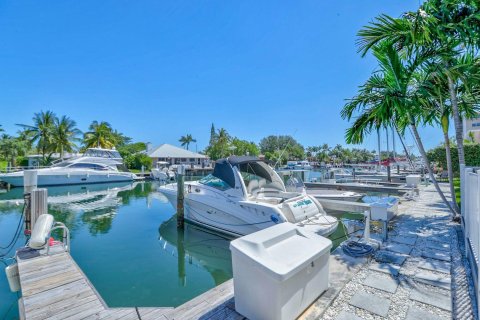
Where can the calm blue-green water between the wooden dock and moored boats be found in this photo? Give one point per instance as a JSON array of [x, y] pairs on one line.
[[124, 238]]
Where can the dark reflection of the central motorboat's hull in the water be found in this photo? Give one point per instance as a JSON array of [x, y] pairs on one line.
[[199, 247]]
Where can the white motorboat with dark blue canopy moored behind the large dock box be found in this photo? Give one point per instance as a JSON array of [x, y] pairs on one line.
[[244, 195]]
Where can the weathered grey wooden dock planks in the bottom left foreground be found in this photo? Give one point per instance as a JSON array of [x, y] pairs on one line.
[[54, 287]]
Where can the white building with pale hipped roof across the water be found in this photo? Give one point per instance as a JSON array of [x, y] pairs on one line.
[[175, 155]]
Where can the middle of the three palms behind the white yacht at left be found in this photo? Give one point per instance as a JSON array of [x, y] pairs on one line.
[[64, 135]]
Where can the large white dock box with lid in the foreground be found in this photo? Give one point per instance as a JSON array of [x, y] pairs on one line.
[[279, 271]]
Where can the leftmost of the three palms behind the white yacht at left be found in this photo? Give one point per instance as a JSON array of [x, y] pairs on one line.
[[41, 131]]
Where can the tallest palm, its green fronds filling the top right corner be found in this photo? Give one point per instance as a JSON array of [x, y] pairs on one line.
[[450, 27]]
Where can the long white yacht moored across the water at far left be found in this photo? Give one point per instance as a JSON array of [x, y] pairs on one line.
[[96, 165]]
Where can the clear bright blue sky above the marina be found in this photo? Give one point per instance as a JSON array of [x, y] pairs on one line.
[[157, 70]]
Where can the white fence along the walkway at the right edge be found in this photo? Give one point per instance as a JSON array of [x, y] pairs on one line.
[[470, 192]]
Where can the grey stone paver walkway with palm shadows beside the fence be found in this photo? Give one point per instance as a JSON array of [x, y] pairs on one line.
[[411, 276]]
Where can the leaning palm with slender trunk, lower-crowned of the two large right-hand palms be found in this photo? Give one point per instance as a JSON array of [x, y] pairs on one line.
[[391, 94]]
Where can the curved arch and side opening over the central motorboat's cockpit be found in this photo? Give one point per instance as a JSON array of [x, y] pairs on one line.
[[258, 175]]
